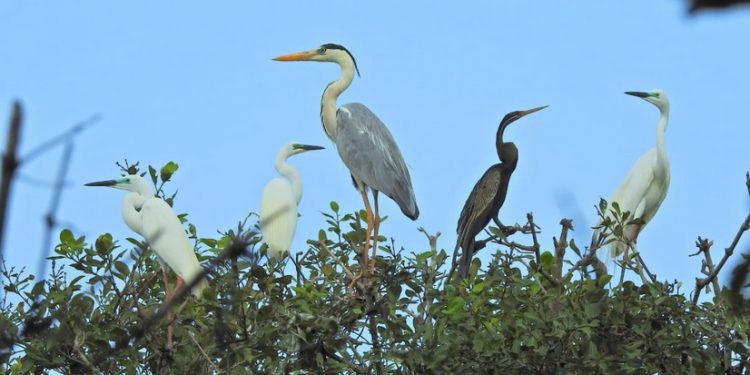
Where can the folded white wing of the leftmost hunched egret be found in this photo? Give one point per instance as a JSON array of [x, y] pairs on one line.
[[166, 237]]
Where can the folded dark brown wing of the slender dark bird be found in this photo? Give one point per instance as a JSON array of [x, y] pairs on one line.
[[479, 208]]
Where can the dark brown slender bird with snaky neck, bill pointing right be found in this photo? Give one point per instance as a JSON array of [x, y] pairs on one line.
[[488, 195]]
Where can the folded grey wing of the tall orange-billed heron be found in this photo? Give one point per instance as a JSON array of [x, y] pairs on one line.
[[372, 155]]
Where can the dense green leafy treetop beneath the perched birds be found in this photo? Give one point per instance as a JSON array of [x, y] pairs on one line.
[[301, 317]]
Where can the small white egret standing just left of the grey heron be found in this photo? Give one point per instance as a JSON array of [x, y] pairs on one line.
[[278, 205]]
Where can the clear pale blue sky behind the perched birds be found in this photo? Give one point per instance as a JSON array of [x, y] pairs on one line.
[[195, 84]]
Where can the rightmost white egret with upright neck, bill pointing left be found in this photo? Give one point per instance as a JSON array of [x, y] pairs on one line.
[[647, 183]]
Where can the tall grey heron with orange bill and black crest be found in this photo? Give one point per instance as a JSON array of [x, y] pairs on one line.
[[364, 144]]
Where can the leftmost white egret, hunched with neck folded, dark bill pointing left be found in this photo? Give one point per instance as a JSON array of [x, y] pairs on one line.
[[153, 219]]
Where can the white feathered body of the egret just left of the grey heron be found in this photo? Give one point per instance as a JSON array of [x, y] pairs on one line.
[[278, 216]]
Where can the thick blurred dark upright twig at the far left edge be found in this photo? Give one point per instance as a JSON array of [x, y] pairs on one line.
[[10, 163]]
